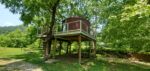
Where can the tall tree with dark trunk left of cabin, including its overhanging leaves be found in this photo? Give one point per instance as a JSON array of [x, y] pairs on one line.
[[45, 12]]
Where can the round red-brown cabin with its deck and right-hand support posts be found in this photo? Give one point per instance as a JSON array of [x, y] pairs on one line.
[[76, 29]]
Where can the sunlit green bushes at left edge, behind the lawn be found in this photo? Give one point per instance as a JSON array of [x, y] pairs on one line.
[[19, 37]]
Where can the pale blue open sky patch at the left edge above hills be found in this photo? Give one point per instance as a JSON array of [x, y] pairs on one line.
[[7, 18]]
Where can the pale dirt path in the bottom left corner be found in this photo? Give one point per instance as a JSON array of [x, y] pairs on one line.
[[17, 65]]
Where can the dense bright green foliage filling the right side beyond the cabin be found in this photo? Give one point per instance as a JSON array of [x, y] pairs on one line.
[[128, 26]]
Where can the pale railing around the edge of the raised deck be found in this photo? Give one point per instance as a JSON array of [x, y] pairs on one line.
[[77, 26]]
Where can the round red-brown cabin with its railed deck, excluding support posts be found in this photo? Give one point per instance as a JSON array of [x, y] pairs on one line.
[[73, 27]]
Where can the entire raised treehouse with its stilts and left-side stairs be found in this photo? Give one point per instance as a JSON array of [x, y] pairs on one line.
[[72, 29]]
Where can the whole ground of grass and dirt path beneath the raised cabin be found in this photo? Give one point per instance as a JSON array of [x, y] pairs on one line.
[[16, 59]]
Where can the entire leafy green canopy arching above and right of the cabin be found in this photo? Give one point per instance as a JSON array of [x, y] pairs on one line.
[[124, 23]]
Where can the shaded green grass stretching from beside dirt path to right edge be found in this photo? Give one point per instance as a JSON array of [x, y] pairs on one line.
[[98, 65]]
